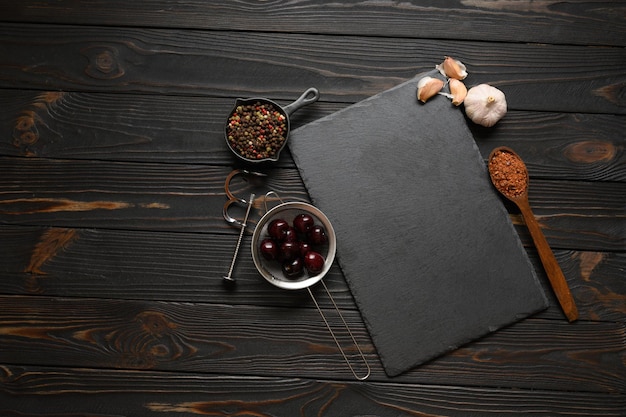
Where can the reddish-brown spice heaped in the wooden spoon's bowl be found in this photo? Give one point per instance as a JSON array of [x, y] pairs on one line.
[[508, 173]]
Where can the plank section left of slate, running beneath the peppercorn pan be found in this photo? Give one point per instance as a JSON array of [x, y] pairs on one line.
[[133, 127]]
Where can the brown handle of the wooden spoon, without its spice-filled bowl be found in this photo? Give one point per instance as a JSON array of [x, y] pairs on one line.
[[550, 264]]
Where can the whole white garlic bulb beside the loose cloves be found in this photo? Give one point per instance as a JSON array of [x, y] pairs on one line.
[[485, 105]]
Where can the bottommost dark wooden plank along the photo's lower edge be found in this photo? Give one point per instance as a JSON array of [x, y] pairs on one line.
[[70, 391]]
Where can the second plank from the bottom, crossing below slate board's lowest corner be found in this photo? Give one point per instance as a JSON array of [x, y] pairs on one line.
[[220, 339]]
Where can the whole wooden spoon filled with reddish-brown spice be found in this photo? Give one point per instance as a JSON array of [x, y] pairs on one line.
[[510, 177]]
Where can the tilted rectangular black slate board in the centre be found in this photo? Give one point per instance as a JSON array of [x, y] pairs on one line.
[[425, 243]]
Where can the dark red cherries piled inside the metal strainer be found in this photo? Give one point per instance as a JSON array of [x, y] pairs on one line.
[[295, 247]]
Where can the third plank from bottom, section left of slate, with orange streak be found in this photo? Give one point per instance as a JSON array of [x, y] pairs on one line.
[[185, 267]]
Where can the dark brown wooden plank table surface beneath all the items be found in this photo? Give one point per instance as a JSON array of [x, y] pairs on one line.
[[113, 246]]
